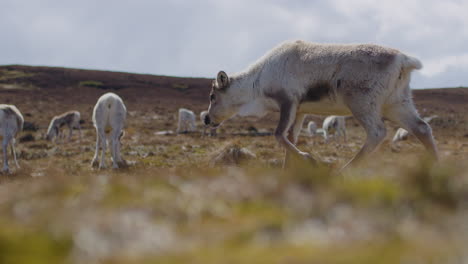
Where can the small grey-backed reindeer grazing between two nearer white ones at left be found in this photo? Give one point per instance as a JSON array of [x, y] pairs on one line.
[[70, 119]]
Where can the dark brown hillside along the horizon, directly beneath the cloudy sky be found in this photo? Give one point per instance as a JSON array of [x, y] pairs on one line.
[[165, 88]]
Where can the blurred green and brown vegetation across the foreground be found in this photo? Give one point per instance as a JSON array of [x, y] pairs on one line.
[[246, 214]]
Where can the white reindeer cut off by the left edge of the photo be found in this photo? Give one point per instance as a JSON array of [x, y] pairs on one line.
[[11, 123]]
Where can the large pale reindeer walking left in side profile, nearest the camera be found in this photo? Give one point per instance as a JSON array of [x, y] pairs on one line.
[[298, 78]]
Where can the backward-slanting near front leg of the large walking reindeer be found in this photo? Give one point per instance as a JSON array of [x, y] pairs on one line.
[[287, 117]]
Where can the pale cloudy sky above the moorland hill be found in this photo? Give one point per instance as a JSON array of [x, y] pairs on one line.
[[199, 38]]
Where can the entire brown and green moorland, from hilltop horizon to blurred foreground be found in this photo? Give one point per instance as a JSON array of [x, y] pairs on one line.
[[177, 202]]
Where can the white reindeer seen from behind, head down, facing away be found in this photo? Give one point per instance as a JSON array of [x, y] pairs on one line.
[[109, 112]]
